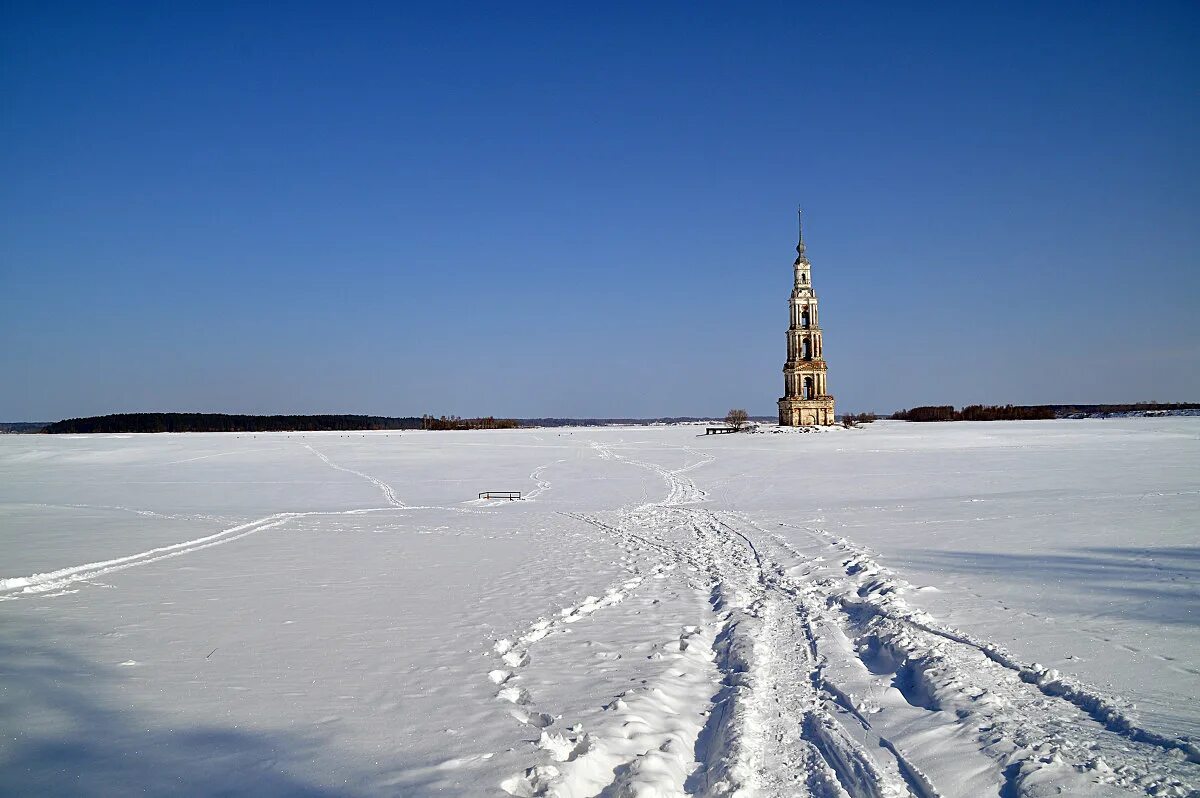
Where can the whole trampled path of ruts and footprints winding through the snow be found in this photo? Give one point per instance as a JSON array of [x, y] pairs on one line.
[[826, 685]]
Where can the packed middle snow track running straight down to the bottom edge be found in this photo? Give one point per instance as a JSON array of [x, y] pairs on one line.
[[778, 730]]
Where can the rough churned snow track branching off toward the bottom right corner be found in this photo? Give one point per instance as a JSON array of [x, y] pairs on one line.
[[950, 671]]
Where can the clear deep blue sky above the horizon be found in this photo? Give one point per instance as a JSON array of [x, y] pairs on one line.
[[568, 209]]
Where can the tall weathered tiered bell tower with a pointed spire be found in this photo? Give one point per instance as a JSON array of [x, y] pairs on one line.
[[807, 400]]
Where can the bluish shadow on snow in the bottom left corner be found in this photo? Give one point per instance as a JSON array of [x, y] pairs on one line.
[[68, 733]]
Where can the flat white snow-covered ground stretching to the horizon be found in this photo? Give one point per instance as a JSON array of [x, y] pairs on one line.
[[1005, 609]]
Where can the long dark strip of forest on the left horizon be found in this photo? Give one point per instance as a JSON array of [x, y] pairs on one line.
[[224, 423]]
